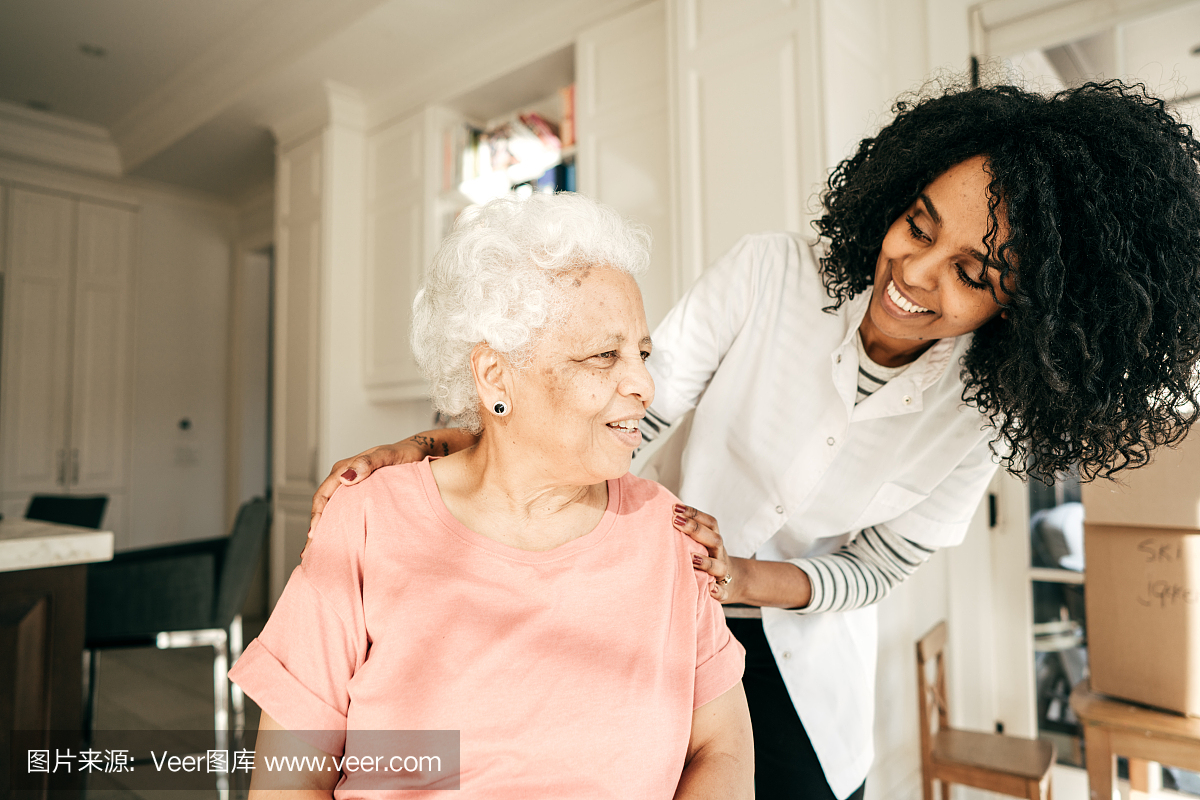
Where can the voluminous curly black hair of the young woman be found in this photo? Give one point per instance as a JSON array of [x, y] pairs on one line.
[[1094, 364]]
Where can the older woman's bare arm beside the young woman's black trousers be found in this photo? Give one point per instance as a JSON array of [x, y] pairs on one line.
[[721, 754]]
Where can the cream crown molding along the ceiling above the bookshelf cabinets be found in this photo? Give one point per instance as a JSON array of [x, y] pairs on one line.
[[496, 51]]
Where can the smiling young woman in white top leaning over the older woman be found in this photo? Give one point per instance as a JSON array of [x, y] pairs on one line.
[[1004, 279]]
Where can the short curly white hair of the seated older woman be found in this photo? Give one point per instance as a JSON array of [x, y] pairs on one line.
[[496, 280]]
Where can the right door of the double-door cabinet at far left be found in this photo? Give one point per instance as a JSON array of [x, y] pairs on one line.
[[100, 384]]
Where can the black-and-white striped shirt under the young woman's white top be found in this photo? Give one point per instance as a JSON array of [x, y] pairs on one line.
[[872, 564]]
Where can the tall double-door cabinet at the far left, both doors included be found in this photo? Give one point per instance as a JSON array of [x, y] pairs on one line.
[[65, 396]]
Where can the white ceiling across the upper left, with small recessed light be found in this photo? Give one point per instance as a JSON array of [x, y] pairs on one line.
[[189, 88]]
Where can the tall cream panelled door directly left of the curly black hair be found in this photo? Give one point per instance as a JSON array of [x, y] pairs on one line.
[[751, 121]]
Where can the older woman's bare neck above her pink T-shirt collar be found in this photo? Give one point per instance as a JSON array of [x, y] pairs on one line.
[[517, 502]]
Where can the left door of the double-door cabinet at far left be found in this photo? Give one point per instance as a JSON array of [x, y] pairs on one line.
[[37, 341]]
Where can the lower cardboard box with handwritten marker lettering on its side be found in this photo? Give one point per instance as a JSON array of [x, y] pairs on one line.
[[1143, 592]]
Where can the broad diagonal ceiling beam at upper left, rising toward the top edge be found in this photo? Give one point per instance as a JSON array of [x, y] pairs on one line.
[[275, 35]]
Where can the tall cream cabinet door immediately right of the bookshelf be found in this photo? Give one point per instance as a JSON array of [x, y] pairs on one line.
[[621, 111]]
